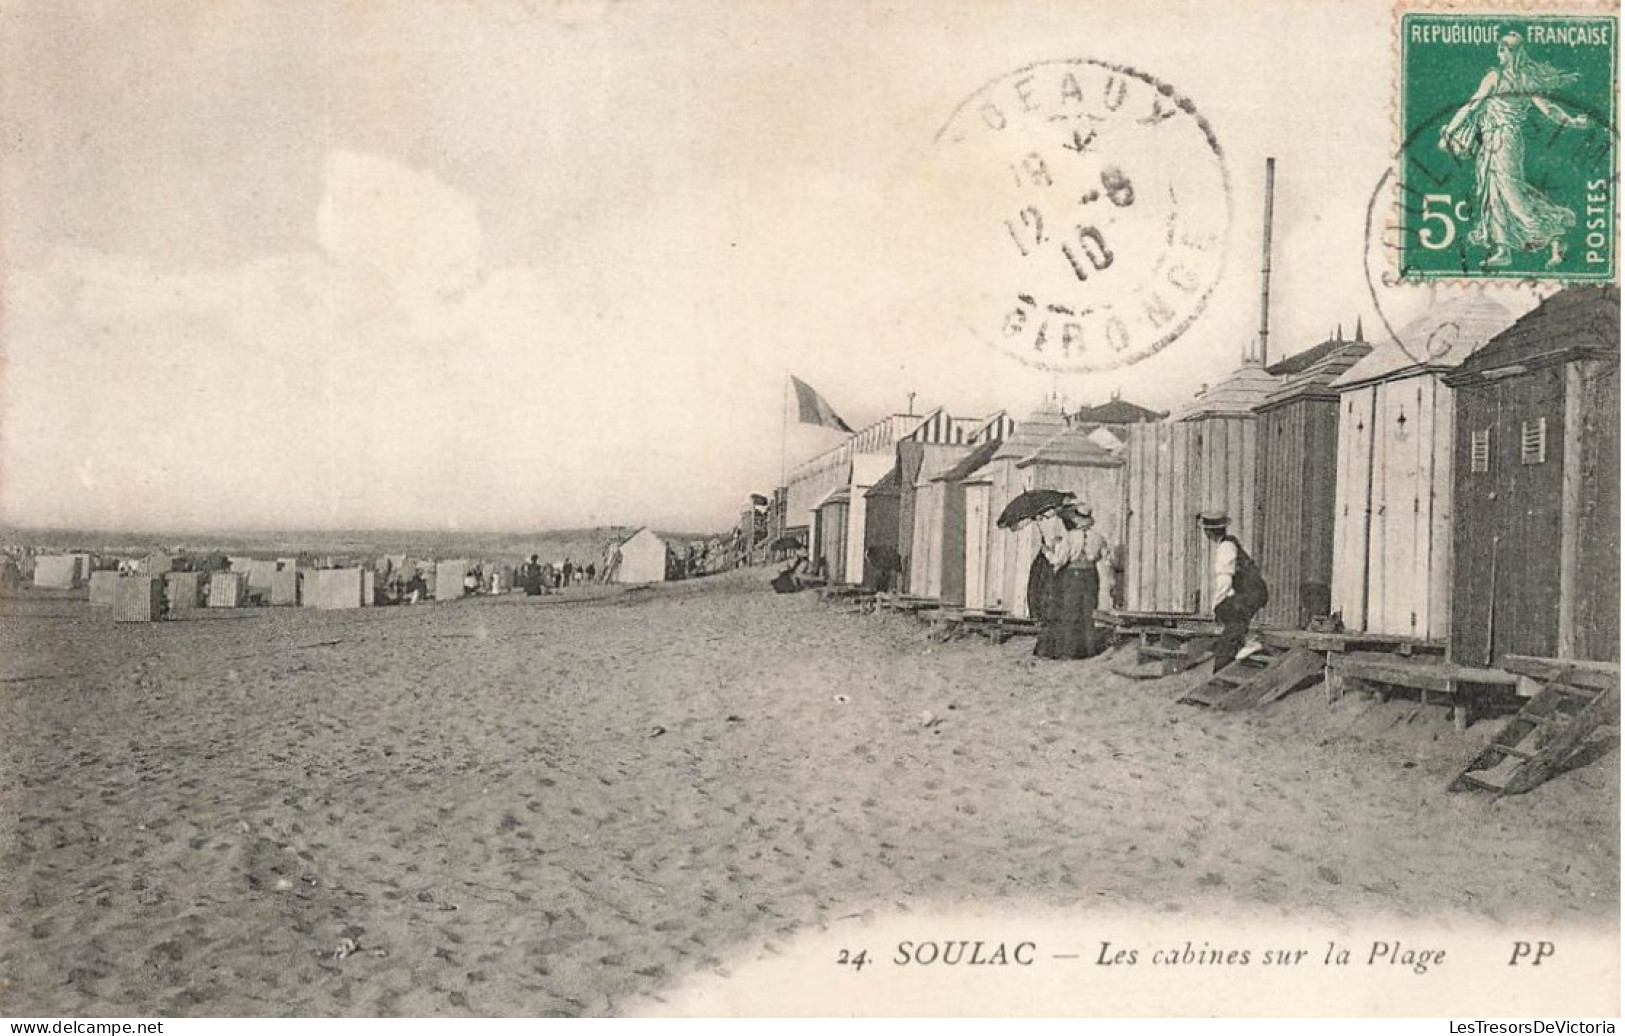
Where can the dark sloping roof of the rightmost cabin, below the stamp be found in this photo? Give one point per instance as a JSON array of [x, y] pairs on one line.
[[1574, 324]]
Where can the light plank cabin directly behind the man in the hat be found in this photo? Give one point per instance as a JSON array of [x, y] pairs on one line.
[[1203, 459]]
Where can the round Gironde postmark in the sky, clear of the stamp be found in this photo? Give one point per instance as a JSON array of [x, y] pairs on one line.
[[1096, 214]]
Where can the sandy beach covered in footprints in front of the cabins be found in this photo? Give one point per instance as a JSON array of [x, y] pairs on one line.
[[573, 805]]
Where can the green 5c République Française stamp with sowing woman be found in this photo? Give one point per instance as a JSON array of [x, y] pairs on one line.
[[1509, 145]]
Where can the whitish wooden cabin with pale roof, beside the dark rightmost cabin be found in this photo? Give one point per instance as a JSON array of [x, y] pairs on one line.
[[1392, 511]]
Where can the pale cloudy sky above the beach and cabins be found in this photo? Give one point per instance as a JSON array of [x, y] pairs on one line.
[[526, 265]]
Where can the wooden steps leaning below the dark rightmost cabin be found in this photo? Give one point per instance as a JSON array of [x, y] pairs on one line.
[[1572, 702]]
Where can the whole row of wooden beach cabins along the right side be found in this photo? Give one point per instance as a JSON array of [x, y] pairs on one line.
[[1458, 490]]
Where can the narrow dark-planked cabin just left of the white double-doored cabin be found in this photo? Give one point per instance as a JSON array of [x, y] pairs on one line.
[[1298, 480]]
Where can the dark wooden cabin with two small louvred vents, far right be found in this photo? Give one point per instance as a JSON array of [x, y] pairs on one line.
[[1538, 486]]
